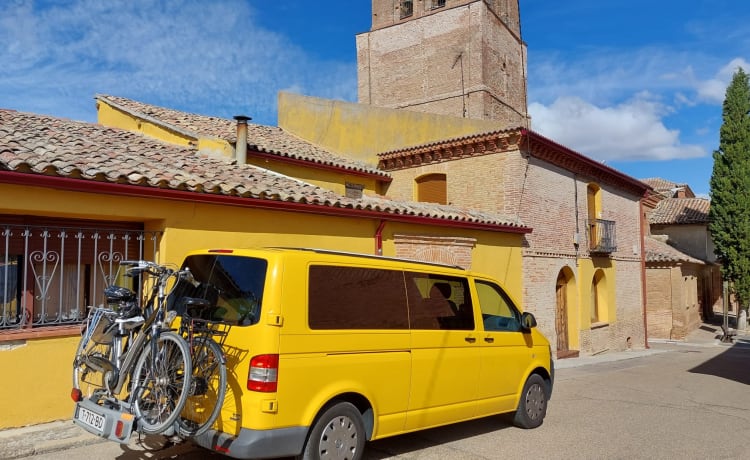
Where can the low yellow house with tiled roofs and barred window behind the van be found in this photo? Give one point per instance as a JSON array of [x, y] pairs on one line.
[[79, 197]]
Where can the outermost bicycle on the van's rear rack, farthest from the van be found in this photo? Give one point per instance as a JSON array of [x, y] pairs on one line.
[[119, 346]]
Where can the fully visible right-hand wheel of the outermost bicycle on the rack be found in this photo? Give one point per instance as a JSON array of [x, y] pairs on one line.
[[160, 383]]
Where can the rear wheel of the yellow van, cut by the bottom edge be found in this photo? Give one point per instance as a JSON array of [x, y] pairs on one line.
[[338, 433]]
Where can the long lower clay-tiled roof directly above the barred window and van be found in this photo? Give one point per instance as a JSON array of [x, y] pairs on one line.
[[44, 145]]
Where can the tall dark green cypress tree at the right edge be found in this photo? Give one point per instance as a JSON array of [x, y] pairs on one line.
[[730, 189]]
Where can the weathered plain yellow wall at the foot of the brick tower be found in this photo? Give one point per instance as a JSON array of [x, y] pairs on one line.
[[360, 131]]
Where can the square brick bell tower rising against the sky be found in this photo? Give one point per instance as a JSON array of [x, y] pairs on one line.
[[463, 58]]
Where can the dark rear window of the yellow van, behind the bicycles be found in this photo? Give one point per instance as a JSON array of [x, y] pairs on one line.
[[233, 285]]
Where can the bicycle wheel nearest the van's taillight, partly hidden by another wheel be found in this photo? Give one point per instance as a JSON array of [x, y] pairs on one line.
[[207, 388]]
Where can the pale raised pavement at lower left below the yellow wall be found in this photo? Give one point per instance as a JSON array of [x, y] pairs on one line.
[[43, 438]]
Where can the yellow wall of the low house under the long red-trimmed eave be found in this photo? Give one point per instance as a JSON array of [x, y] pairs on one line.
[[41, 379]]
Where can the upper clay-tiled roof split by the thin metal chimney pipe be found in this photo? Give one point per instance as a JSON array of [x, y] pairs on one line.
[[266, 139]]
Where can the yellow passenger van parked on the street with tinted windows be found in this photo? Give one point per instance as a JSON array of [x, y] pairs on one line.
[[328, 350]]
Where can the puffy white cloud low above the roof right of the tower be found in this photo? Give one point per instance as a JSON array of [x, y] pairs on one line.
[[625, 132]]
